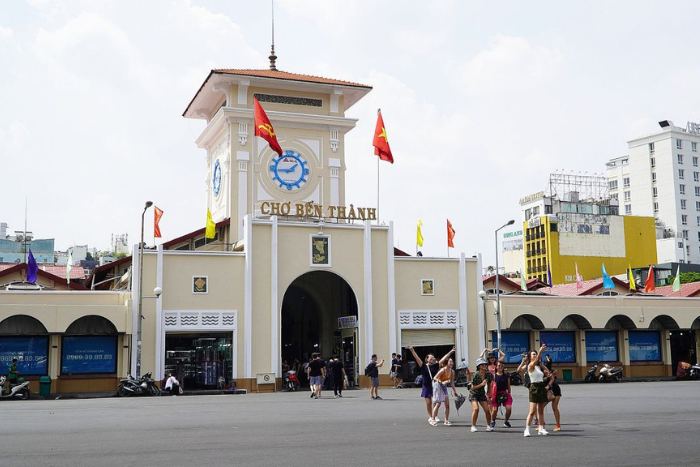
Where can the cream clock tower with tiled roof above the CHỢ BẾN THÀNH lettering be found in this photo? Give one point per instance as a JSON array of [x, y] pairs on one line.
[[308, 116]]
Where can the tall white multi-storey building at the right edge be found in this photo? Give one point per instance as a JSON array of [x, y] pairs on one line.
[[661, 177]]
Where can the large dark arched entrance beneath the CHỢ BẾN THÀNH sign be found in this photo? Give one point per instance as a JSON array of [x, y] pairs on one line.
[[311, 310]]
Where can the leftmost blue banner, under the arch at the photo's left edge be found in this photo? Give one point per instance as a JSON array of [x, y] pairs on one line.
[[31, 354]]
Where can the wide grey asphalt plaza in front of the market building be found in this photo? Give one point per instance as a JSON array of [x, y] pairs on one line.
[[655, 423]]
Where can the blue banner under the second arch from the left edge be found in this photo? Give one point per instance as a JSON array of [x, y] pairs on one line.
[[89, 354]]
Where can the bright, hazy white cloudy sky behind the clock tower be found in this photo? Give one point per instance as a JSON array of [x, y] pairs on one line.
[[481, 102]]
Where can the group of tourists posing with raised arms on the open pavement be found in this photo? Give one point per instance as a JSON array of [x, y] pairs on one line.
[[490, 388]]
